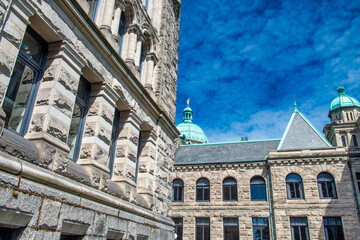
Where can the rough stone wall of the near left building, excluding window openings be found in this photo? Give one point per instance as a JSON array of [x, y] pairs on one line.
[[78, 48]]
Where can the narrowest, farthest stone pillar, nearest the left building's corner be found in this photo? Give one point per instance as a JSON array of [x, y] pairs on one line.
[[147, 166]]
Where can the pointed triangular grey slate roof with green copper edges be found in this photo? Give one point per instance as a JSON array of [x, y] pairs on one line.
[[301, 134]]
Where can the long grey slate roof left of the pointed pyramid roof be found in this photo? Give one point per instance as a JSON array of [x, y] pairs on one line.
[[244, 151]]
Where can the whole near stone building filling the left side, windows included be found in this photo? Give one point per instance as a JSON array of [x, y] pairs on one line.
[[87, 93]]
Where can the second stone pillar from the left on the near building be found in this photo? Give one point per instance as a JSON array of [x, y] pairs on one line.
[[97, 134]]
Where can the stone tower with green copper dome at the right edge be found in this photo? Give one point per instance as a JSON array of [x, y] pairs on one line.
[[344, 117]]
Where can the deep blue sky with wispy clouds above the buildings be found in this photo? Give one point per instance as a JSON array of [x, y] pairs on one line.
[[242, 62]]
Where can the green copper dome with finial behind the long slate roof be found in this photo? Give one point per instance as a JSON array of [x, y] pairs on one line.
[[190, 132]]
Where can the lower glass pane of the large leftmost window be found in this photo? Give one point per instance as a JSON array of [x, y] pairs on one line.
[[17, 95]]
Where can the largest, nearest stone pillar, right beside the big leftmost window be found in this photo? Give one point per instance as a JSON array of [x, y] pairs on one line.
[[51, 119]]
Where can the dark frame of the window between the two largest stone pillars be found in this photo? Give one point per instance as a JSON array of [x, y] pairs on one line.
[[84, 103]]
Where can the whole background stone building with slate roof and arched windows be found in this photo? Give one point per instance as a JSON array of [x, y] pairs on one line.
[[302, 186]]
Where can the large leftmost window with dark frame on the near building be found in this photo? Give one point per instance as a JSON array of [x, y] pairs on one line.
[[21, 93]]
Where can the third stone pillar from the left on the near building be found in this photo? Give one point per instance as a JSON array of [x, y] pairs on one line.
[[126, 149]]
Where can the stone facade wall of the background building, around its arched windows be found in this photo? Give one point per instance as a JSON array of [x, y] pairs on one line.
[[307, 164]]
